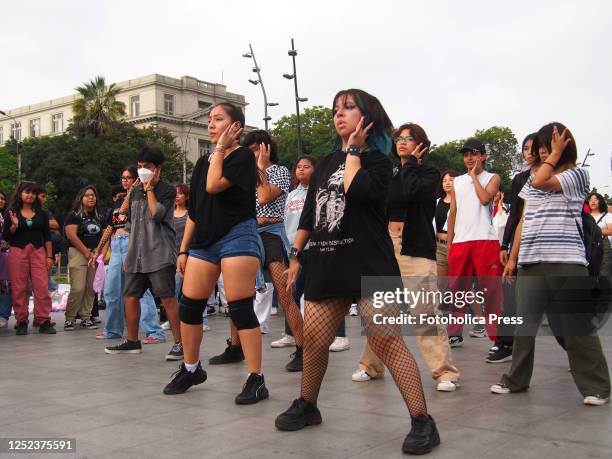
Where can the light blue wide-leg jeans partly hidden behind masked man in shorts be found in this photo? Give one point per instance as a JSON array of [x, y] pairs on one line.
[[114, 315]]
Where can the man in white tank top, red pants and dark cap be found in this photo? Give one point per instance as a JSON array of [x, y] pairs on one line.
[[472, 239]]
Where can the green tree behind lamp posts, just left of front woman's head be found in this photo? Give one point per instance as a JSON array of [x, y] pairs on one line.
[[318, 134]]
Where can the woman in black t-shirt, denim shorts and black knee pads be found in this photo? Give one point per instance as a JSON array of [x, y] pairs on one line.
[[221, 237]]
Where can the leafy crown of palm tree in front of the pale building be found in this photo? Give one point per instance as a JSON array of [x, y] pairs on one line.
[[97, 108]]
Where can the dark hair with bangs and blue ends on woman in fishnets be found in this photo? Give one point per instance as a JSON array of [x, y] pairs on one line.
[[379, 137]]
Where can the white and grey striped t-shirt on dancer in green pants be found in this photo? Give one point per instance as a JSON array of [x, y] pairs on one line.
[[550, 230]]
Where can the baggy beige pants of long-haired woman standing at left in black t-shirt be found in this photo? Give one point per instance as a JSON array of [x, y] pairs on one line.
[[81, 297]]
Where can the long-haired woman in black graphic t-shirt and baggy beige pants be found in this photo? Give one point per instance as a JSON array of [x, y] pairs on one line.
[[83, 226]]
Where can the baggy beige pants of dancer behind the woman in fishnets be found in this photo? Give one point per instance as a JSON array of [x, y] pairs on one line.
[[431, 339]]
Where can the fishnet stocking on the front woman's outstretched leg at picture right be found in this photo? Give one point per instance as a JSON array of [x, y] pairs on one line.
[[388, 344]]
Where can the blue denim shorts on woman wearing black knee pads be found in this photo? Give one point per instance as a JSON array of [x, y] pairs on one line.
[[241, 241]]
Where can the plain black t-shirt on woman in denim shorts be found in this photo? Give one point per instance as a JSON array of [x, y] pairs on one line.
[[215, 214]]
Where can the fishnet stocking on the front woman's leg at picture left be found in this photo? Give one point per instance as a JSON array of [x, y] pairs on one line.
[[321, 320]]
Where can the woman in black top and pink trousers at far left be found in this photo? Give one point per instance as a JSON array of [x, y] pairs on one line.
[[26, 229]]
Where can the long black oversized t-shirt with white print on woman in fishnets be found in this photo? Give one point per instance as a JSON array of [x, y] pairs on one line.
[[348, 231]]
